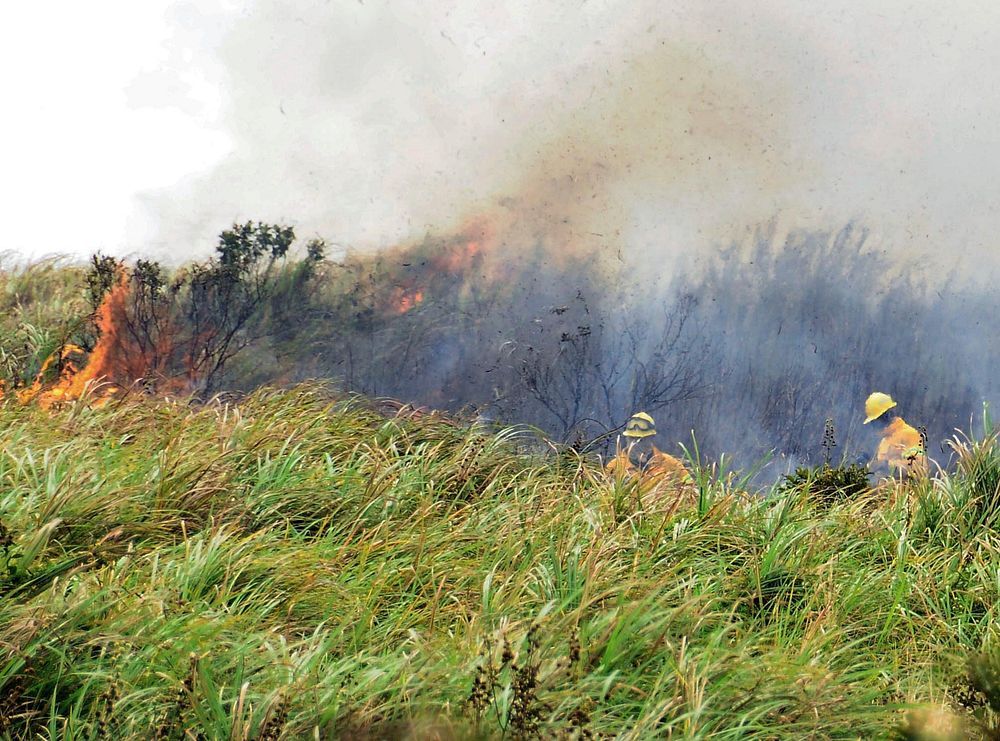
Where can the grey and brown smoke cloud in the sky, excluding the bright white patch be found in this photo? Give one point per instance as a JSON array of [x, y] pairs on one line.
[[657, 130]]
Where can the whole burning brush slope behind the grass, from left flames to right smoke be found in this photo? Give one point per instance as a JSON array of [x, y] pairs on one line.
[[752, 351]]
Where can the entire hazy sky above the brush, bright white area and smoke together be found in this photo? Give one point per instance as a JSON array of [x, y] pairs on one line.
[[660, 127]]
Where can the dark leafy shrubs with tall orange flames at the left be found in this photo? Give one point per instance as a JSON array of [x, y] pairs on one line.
[[176, 333]]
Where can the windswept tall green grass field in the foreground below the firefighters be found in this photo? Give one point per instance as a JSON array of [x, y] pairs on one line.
[[300, 566]]
